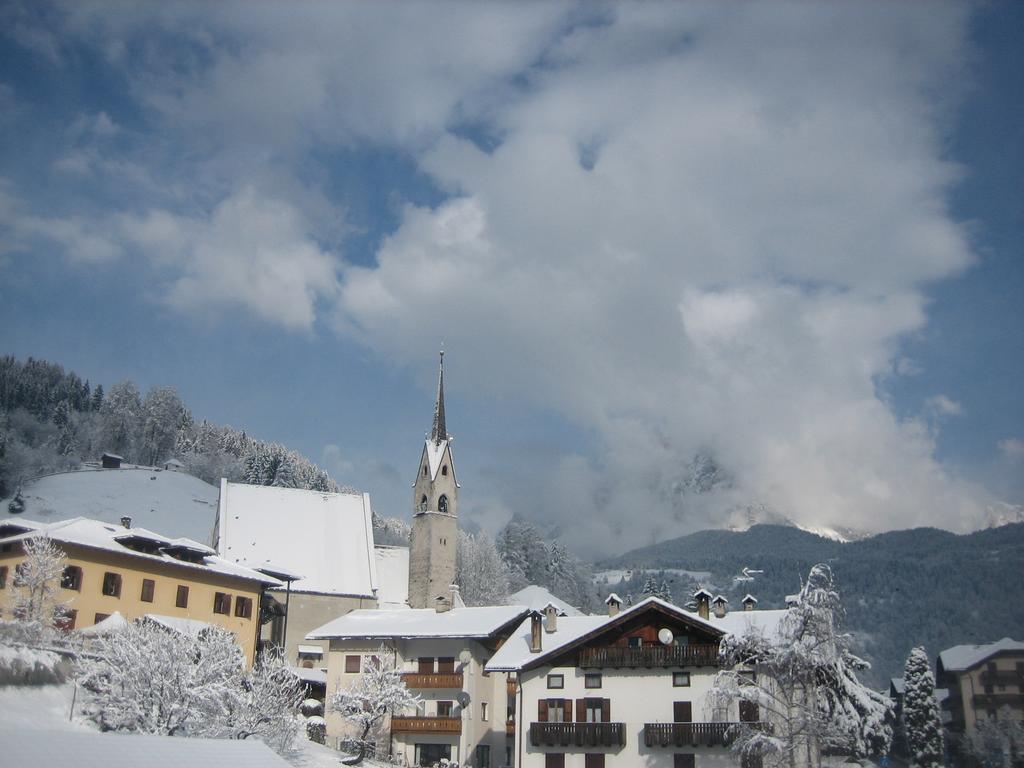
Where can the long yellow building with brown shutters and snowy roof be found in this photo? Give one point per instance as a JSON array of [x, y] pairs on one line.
[[138, 573]]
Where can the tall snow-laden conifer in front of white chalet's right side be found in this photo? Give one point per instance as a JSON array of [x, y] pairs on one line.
[[803, 682]]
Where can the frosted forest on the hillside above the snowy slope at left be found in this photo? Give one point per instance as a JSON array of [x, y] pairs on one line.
[[53, 420]]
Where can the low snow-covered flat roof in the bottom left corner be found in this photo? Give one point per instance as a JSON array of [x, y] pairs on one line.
[[94, 750]]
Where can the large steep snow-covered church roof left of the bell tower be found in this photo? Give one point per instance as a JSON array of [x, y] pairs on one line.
[[327, 538]]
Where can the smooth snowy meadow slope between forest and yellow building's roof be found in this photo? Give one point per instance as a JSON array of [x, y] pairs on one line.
[[172, 503]]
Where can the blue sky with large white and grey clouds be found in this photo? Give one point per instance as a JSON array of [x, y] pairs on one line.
[[786, 237]]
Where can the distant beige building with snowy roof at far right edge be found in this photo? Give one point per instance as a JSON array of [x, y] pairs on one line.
[[984, 681]]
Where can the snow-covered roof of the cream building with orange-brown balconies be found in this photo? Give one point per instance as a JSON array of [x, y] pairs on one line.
[[420, 623]]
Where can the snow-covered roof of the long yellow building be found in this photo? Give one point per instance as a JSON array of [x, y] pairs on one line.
[[110, 538]]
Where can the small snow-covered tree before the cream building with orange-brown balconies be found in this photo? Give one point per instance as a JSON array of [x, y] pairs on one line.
[[379, 692]]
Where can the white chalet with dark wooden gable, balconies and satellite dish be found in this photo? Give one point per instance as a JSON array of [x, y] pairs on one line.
[[629, 689]]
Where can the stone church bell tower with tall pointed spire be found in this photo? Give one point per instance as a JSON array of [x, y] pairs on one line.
[[436, 505]]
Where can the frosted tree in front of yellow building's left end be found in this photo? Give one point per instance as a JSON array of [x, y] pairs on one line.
[[37, 584]]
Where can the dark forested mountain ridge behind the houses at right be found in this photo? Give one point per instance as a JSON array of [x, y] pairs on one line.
[[901, 589]]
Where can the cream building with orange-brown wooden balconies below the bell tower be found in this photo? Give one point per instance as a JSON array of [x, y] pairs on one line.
[[443, 654]]
